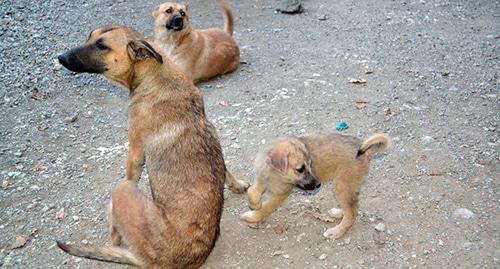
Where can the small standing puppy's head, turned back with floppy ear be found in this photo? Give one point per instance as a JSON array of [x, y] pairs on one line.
[[291, 160]]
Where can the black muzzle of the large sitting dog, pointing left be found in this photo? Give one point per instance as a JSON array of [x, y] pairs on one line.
[[79, 60]]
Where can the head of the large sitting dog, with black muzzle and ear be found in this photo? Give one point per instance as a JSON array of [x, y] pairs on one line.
[[109, 51]]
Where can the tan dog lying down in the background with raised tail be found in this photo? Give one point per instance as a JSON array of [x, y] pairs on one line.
[[200, 53]]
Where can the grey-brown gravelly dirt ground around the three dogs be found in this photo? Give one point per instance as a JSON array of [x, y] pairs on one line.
[[431, 69]]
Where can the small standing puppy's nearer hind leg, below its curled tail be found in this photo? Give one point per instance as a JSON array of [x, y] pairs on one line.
[[347, 195]]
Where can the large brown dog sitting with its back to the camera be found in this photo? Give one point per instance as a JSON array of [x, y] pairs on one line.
[[168, 131]]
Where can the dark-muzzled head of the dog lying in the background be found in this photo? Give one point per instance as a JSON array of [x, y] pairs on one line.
[[171, 17]]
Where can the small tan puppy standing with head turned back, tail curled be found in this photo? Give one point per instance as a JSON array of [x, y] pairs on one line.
[[304, 162]]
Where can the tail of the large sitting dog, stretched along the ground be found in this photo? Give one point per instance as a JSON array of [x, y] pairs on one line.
[[106, 254]]
